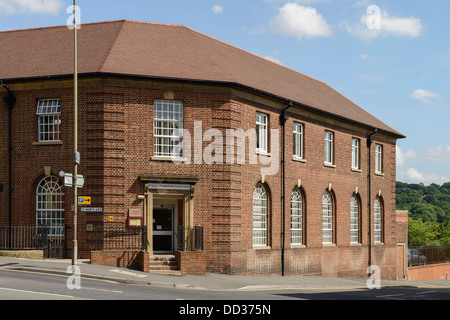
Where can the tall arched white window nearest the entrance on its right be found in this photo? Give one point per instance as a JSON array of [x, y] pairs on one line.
[[259, 216]]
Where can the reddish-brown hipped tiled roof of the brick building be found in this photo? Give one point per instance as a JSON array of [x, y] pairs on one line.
[[166, 51]]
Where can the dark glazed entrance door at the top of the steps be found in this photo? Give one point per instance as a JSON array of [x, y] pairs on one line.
[[163, 229]]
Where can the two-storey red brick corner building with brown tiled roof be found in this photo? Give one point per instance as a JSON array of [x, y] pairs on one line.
[[297, 197]]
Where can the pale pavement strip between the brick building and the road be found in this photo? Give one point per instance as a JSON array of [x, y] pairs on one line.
[[210, 281]]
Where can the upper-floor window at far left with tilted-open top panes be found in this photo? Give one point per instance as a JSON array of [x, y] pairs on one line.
[[49, 120]]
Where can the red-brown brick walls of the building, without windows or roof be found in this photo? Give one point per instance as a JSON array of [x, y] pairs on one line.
[[116, 144]]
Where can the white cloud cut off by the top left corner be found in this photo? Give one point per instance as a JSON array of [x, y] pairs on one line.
[[30, 6]]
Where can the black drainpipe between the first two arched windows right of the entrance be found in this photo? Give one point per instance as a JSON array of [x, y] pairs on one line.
[[283, 119]]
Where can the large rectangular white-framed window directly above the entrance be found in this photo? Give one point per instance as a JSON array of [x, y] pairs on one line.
[[168, 129]]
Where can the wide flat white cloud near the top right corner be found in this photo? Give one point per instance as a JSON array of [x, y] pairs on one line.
[[389, 26]]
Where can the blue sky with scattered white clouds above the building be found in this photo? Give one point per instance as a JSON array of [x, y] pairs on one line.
[[398, 70]]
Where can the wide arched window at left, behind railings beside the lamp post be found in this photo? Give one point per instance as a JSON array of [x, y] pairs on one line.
[[50, 206]]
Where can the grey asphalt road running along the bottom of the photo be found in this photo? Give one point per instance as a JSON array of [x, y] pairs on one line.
[[22, 285]]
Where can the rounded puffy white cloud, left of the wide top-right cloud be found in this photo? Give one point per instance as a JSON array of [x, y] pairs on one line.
[[300, 22]]
